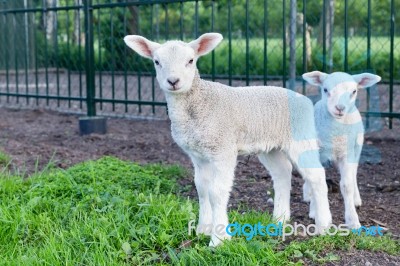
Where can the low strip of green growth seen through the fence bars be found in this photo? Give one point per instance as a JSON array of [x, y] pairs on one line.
[[116, 56]]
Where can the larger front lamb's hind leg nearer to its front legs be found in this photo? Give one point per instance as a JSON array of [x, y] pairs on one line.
[[280, 169]]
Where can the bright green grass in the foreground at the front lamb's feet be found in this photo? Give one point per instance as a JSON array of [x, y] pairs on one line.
[[112, 212]]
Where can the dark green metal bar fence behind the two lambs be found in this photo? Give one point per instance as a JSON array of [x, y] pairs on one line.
[[69, 54]]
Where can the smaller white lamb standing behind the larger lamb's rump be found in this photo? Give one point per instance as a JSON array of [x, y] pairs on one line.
[[341, 132]]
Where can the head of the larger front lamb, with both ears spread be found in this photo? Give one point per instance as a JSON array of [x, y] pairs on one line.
[[174, 61]]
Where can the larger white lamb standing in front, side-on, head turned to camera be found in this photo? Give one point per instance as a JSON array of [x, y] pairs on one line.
[[214, 123]]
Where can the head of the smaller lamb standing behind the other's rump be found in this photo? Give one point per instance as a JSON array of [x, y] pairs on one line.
[[339, 90]]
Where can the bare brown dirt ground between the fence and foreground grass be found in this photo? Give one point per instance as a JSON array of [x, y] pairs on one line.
[[33, 138]]
